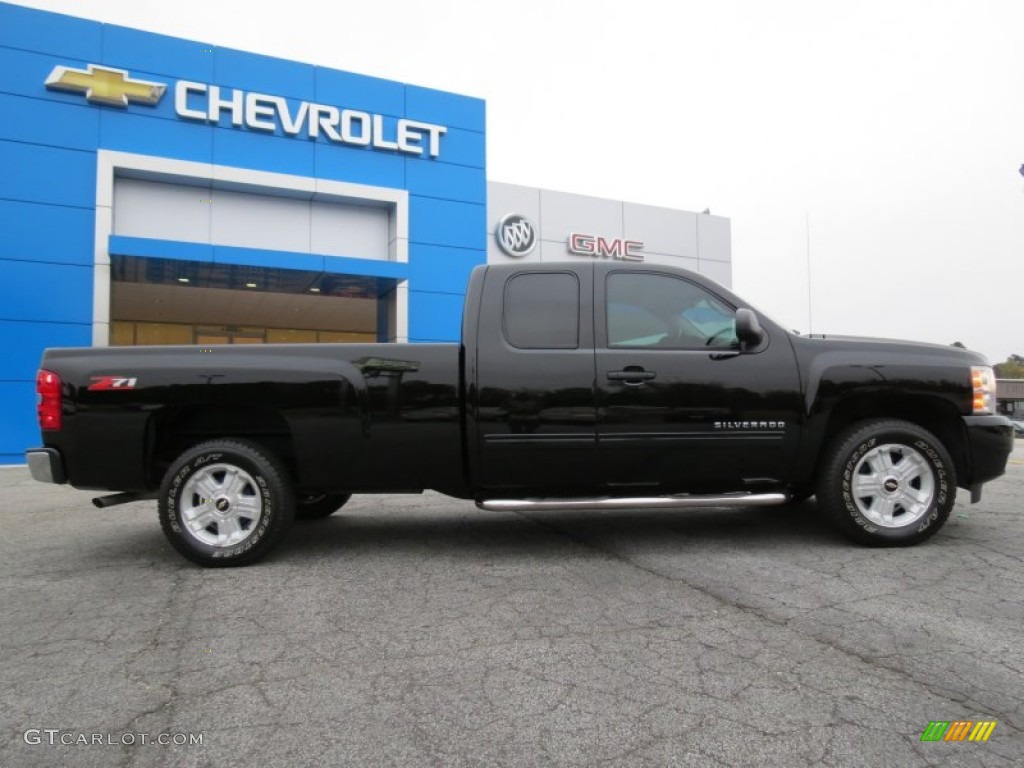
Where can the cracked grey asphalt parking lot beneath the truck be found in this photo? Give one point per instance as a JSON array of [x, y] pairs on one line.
[[420, 631]]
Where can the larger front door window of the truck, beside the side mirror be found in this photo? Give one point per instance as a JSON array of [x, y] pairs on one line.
[[660, 311]]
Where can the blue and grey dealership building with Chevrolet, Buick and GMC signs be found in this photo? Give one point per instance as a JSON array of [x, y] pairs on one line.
[[159, 191]]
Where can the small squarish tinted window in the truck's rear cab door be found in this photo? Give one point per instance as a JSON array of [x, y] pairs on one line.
[[542, 311]]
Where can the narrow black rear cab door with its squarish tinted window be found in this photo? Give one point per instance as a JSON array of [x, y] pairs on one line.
[[533, 400]]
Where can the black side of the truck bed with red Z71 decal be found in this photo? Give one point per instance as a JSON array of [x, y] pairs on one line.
[[330, 409]]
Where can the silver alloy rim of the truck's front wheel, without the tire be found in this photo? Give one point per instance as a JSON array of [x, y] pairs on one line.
[[893, 486]]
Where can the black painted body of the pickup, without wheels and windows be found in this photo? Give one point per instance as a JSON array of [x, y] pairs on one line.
[[490, 419]]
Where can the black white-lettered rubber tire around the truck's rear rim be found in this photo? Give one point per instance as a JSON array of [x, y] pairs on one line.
[[277, 502]]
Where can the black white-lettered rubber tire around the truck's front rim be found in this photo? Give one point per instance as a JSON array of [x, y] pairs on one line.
[[862, 443]]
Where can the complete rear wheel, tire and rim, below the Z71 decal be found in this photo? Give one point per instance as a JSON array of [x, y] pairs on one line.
[[226, 503]]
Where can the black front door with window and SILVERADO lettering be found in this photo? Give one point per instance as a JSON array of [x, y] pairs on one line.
[[680, 407]]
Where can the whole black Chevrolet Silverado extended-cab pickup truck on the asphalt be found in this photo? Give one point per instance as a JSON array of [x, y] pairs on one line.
[[576, 386]]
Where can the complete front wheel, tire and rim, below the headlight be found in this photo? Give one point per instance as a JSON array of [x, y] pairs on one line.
[[887, 483]]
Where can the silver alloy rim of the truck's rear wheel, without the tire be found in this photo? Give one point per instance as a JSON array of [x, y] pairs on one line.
[[221, 505]]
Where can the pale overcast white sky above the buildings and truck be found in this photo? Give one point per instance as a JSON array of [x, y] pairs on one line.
[[868, 154]]
